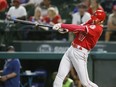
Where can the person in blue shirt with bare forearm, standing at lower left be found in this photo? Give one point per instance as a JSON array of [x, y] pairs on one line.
[[11, 72]]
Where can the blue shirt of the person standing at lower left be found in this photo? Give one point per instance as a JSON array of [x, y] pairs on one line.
[[12, 66]]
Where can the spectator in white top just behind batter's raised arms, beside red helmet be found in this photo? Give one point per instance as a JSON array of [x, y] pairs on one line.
[[81, 16]]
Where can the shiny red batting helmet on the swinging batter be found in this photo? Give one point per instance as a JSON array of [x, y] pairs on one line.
[[99, 15]]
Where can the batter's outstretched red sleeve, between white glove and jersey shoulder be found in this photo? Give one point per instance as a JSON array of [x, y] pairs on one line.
[[74, 28]]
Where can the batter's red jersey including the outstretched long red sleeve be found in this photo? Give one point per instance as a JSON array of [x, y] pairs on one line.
[[86, 35]]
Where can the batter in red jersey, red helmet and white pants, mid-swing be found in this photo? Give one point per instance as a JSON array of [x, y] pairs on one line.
[[86, 37]]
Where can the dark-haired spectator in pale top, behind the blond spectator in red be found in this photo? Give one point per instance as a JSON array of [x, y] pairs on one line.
[[44, 5]]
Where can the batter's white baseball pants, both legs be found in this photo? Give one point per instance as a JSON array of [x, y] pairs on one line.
[[77, 58]]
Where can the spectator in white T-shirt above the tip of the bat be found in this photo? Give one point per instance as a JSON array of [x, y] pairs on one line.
[[17, 11]]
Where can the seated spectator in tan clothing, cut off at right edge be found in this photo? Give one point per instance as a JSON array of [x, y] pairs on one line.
[[111, 35]]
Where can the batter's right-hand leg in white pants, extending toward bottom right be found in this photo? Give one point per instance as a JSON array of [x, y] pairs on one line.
[[80, 66]]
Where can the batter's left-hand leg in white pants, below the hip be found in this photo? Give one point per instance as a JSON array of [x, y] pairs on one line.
[[64, 68]]
